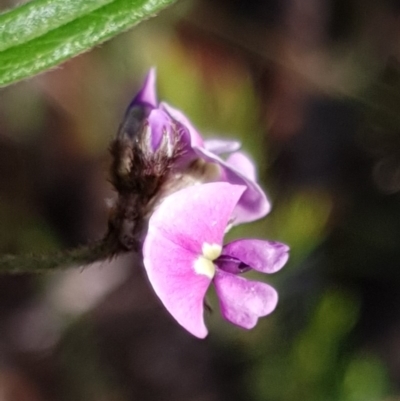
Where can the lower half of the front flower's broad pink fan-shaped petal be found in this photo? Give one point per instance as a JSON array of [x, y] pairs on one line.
[[170, 271]]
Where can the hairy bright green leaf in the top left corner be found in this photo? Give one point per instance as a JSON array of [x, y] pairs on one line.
[[43, 33]]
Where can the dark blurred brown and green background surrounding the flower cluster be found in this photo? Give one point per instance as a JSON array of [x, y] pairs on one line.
[[312, 89]]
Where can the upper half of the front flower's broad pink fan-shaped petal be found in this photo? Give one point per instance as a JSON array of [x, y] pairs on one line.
[[196, 215]]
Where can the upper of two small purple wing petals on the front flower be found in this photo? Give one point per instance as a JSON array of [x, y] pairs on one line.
[[264, 256]]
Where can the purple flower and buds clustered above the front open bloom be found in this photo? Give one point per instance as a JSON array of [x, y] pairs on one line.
[[166, 125]]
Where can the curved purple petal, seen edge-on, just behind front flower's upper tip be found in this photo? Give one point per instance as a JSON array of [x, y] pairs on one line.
[[253, 204]]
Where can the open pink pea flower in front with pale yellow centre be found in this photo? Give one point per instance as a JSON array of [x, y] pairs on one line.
[[184, 253]]
